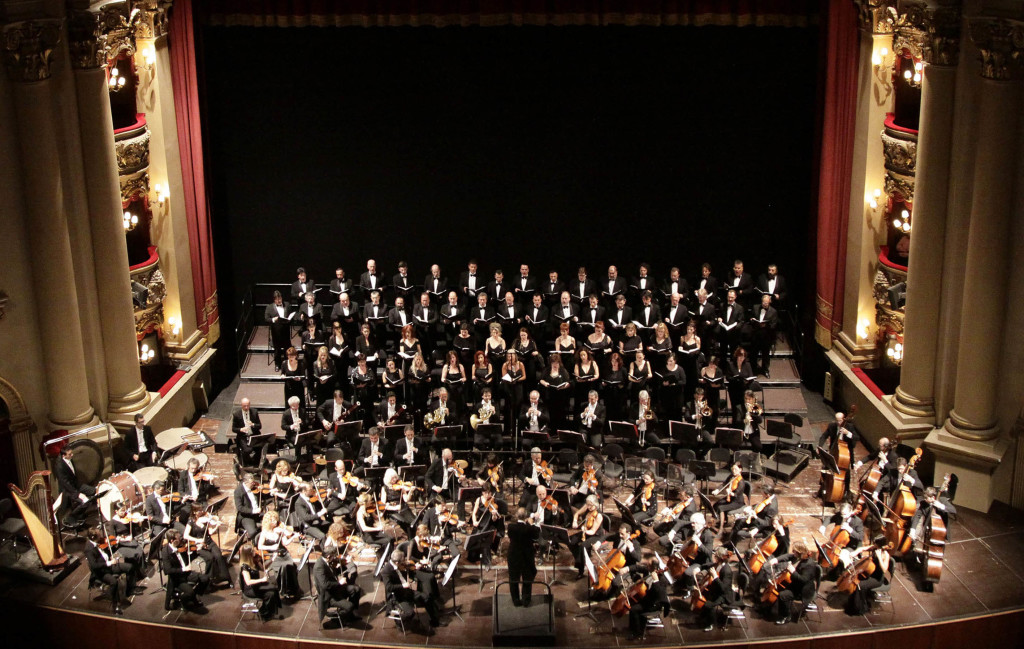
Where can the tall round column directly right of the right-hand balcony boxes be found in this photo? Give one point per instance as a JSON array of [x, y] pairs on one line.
[[916, 395]]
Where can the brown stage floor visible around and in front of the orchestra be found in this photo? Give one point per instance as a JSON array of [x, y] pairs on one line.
[[984, 574]]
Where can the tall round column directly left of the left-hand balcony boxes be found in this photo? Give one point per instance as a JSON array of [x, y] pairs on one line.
[[89, 56]]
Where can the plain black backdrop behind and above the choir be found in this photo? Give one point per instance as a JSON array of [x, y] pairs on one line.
[[554, 147]]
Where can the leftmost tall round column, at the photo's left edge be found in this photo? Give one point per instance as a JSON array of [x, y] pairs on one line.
[[28, 51]]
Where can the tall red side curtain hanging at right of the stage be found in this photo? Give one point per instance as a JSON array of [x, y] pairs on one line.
[[839, 125]]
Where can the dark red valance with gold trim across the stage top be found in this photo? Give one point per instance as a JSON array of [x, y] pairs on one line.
[[515, 13]]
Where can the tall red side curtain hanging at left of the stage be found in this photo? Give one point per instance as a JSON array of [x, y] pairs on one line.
[[182, 42]]
